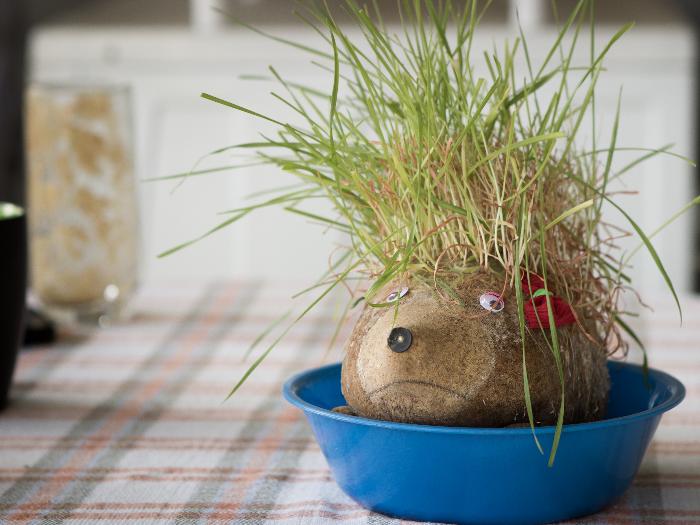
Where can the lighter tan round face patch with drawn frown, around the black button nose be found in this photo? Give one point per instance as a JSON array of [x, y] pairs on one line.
[[436, 372]]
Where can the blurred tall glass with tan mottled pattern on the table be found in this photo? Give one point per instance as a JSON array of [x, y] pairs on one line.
[[82, 203]]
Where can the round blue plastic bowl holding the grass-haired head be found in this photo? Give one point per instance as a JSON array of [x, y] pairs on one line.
[[486, 475]]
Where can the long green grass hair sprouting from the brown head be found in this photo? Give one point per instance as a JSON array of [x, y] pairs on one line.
[[436, 172]]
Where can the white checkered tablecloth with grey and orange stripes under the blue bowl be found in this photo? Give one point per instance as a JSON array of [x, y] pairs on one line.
[[127, 425]]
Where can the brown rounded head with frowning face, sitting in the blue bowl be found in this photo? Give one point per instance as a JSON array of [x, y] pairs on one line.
[[463, 365]]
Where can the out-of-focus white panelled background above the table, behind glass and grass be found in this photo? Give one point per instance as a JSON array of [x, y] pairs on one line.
[[168, 51]]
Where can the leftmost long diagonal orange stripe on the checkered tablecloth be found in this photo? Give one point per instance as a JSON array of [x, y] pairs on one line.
[[84, 453]]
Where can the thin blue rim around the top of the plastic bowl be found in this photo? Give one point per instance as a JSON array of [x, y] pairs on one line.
[[674, 385]]
